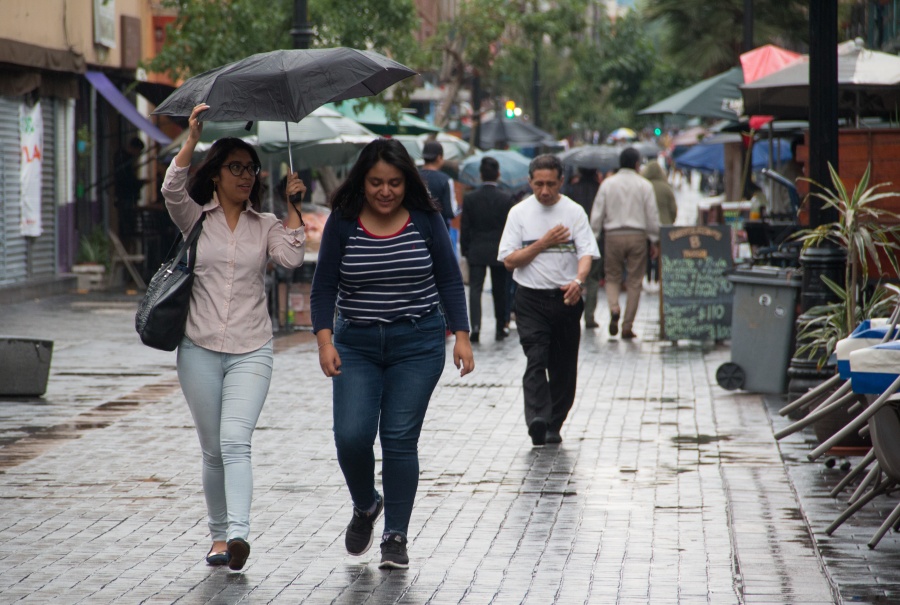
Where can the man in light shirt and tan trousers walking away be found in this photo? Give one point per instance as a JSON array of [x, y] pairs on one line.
[[625, 210]]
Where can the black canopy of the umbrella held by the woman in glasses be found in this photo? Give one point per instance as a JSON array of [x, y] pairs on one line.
[[284, 85]]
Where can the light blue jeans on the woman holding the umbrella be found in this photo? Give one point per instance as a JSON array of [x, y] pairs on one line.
[[225, 393]]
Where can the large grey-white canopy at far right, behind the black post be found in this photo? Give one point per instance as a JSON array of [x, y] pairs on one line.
[[868, 85]]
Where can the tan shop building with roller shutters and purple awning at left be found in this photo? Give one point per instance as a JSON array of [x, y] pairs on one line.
[[67, 106]]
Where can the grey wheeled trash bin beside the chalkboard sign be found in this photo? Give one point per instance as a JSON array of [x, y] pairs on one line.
[[762, 329]]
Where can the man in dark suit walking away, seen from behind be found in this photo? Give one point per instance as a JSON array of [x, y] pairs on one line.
[[483, 217]]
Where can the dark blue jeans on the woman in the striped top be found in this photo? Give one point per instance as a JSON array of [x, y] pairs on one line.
[[388, 372]]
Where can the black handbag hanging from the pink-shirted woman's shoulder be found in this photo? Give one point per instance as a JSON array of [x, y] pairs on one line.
[[162, 313]]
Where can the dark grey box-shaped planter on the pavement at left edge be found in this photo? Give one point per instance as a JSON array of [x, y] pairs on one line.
[[24, 366]]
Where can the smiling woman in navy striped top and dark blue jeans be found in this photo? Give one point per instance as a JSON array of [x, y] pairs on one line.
[[388, 270]]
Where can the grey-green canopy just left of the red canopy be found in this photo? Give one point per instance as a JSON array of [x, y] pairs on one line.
[[717, 97]]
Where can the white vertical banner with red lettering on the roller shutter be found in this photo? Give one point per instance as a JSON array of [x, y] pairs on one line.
[[31, 139]]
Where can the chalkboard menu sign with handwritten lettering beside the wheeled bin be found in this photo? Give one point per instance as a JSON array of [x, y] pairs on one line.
[[696, 296]]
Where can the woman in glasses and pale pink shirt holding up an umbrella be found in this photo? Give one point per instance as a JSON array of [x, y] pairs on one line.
[[225, 359]]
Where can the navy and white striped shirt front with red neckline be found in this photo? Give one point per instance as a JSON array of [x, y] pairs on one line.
[[386, 278]]
